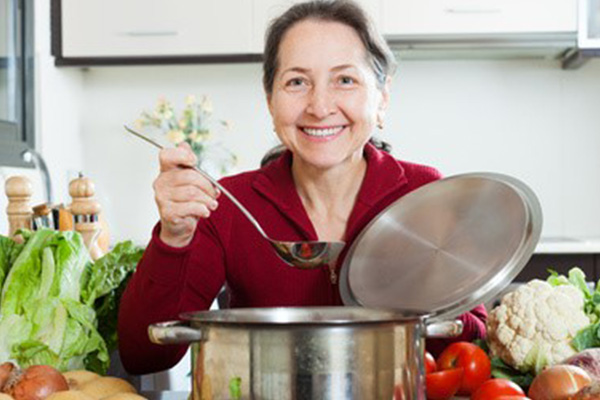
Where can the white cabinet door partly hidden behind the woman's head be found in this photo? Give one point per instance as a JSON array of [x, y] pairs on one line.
[[265, 10]]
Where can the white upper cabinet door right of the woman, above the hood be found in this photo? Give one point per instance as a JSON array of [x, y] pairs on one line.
[[420, 17]]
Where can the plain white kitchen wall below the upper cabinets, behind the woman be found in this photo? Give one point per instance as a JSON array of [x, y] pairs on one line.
[[529, 119]]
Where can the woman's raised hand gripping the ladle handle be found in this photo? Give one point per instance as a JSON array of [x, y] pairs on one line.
[[182, 195]]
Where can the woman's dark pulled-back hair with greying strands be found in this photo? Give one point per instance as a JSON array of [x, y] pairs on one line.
[[346, 12]]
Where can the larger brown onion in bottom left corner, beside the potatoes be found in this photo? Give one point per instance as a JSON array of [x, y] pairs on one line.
[[36, 383]]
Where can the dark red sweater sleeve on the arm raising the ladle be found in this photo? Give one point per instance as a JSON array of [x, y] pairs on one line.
[[167, 282]]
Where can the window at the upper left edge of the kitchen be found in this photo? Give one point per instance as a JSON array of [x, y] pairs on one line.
[[16, 81]]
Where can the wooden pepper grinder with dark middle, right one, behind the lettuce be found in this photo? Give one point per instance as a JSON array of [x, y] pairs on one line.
[[85, 210]]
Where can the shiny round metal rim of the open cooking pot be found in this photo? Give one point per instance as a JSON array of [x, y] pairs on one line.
[[300, 316]]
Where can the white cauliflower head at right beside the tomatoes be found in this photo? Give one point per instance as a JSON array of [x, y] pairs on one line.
[[534, 325]]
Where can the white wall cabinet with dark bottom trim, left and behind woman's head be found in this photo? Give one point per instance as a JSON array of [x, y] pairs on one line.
[[105, 32]]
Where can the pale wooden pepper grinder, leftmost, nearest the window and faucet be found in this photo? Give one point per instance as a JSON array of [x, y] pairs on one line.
[[18, 190]]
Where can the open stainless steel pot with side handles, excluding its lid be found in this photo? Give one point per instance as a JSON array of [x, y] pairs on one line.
[[304, 353]]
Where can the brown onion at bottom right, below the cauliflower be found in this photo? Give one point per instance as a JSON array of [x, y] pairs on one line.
[[558, 382]]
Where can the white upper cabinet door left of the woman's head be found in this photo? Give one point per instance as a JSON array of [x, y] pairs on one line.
[[116, 28]]
